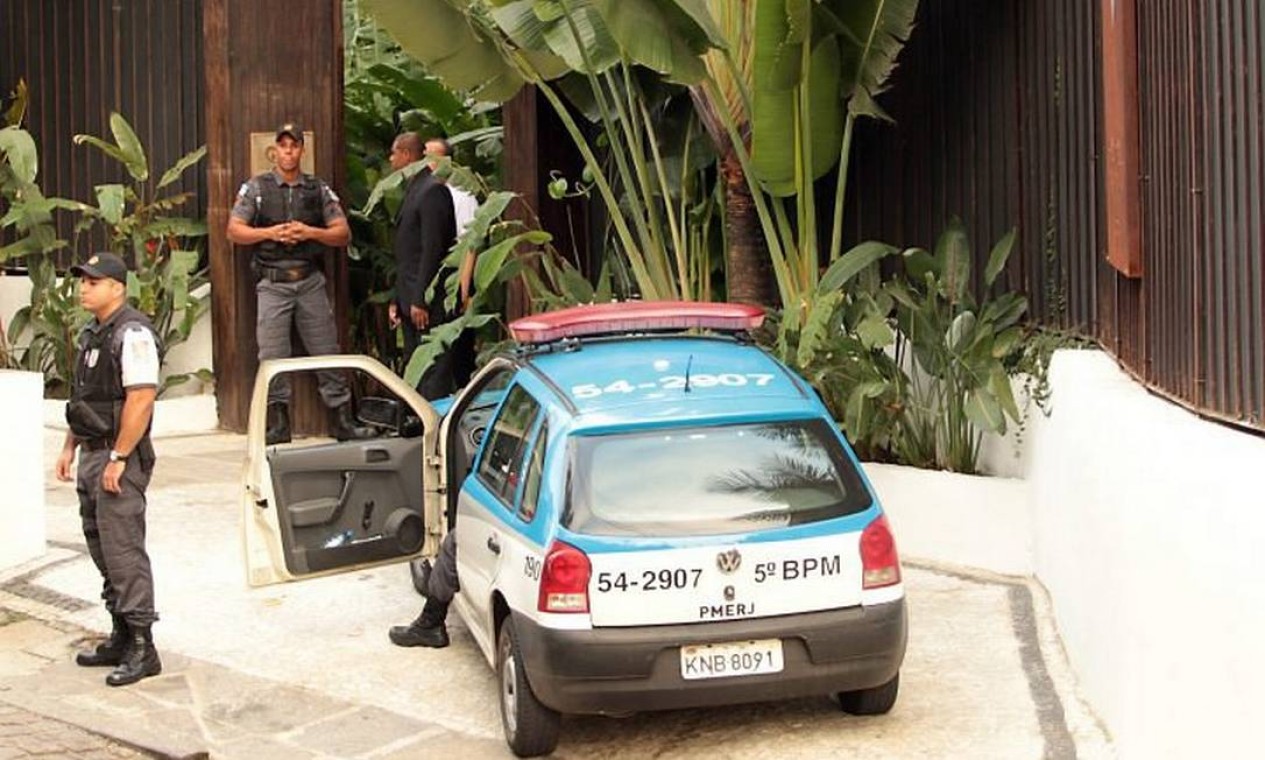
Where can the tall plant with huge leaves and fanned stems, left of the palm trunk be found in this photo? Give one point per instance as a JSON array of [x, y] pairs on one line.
[[495, 47]]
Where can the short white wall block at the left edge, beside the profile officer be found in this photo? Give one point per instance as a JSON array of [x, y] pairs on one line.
[[22, 469]]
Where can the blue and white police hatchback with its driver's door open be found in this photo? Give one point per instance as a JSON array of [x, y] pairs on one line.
[[651, 513]]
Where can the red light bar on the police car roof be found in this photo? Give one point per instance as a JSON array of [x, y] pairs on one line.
[[636, 317]]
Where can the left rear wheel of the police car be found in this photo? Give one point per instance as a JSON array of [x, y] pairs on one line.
[[531, 728]]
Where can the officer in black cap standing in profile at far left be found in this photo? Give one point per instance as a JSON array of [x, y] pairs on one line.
[[109, 415]]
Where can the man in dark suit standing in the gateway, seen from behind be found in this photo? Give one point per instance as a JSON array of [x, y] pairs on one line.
[[426, 230]]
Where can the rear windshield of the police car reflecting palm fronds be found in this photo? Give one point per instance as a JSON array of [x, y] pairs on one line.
[[710, 481]]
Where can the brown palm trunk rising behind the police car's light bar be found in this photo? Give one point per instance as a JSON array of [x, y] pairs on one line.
[[750, 273]]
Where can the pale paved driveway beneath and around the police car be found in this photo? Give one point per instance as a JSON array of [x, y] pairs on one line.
[[985, 676]]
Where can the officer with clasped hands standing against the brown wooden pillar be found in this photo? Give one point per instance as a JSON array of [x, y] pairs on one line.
[[290, 222]]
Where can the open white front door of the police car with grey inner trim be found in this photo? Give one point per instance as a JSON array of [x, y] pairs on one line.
[[319, 506]]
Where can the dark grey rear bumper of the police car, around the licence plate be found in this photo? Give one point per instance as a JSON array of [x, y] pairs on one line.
[[617, 671]]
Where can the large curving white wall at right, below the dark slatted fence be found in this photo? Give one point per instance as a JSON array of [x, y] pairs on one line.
[[1151, 534]]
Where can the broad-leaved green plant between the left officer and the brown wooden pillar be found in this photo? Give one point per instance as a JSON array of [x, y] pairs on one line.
[[166, 279]]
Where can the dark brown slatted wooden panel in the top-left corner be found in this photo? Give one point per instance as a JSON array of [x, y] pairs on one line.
[[85, 59]]
